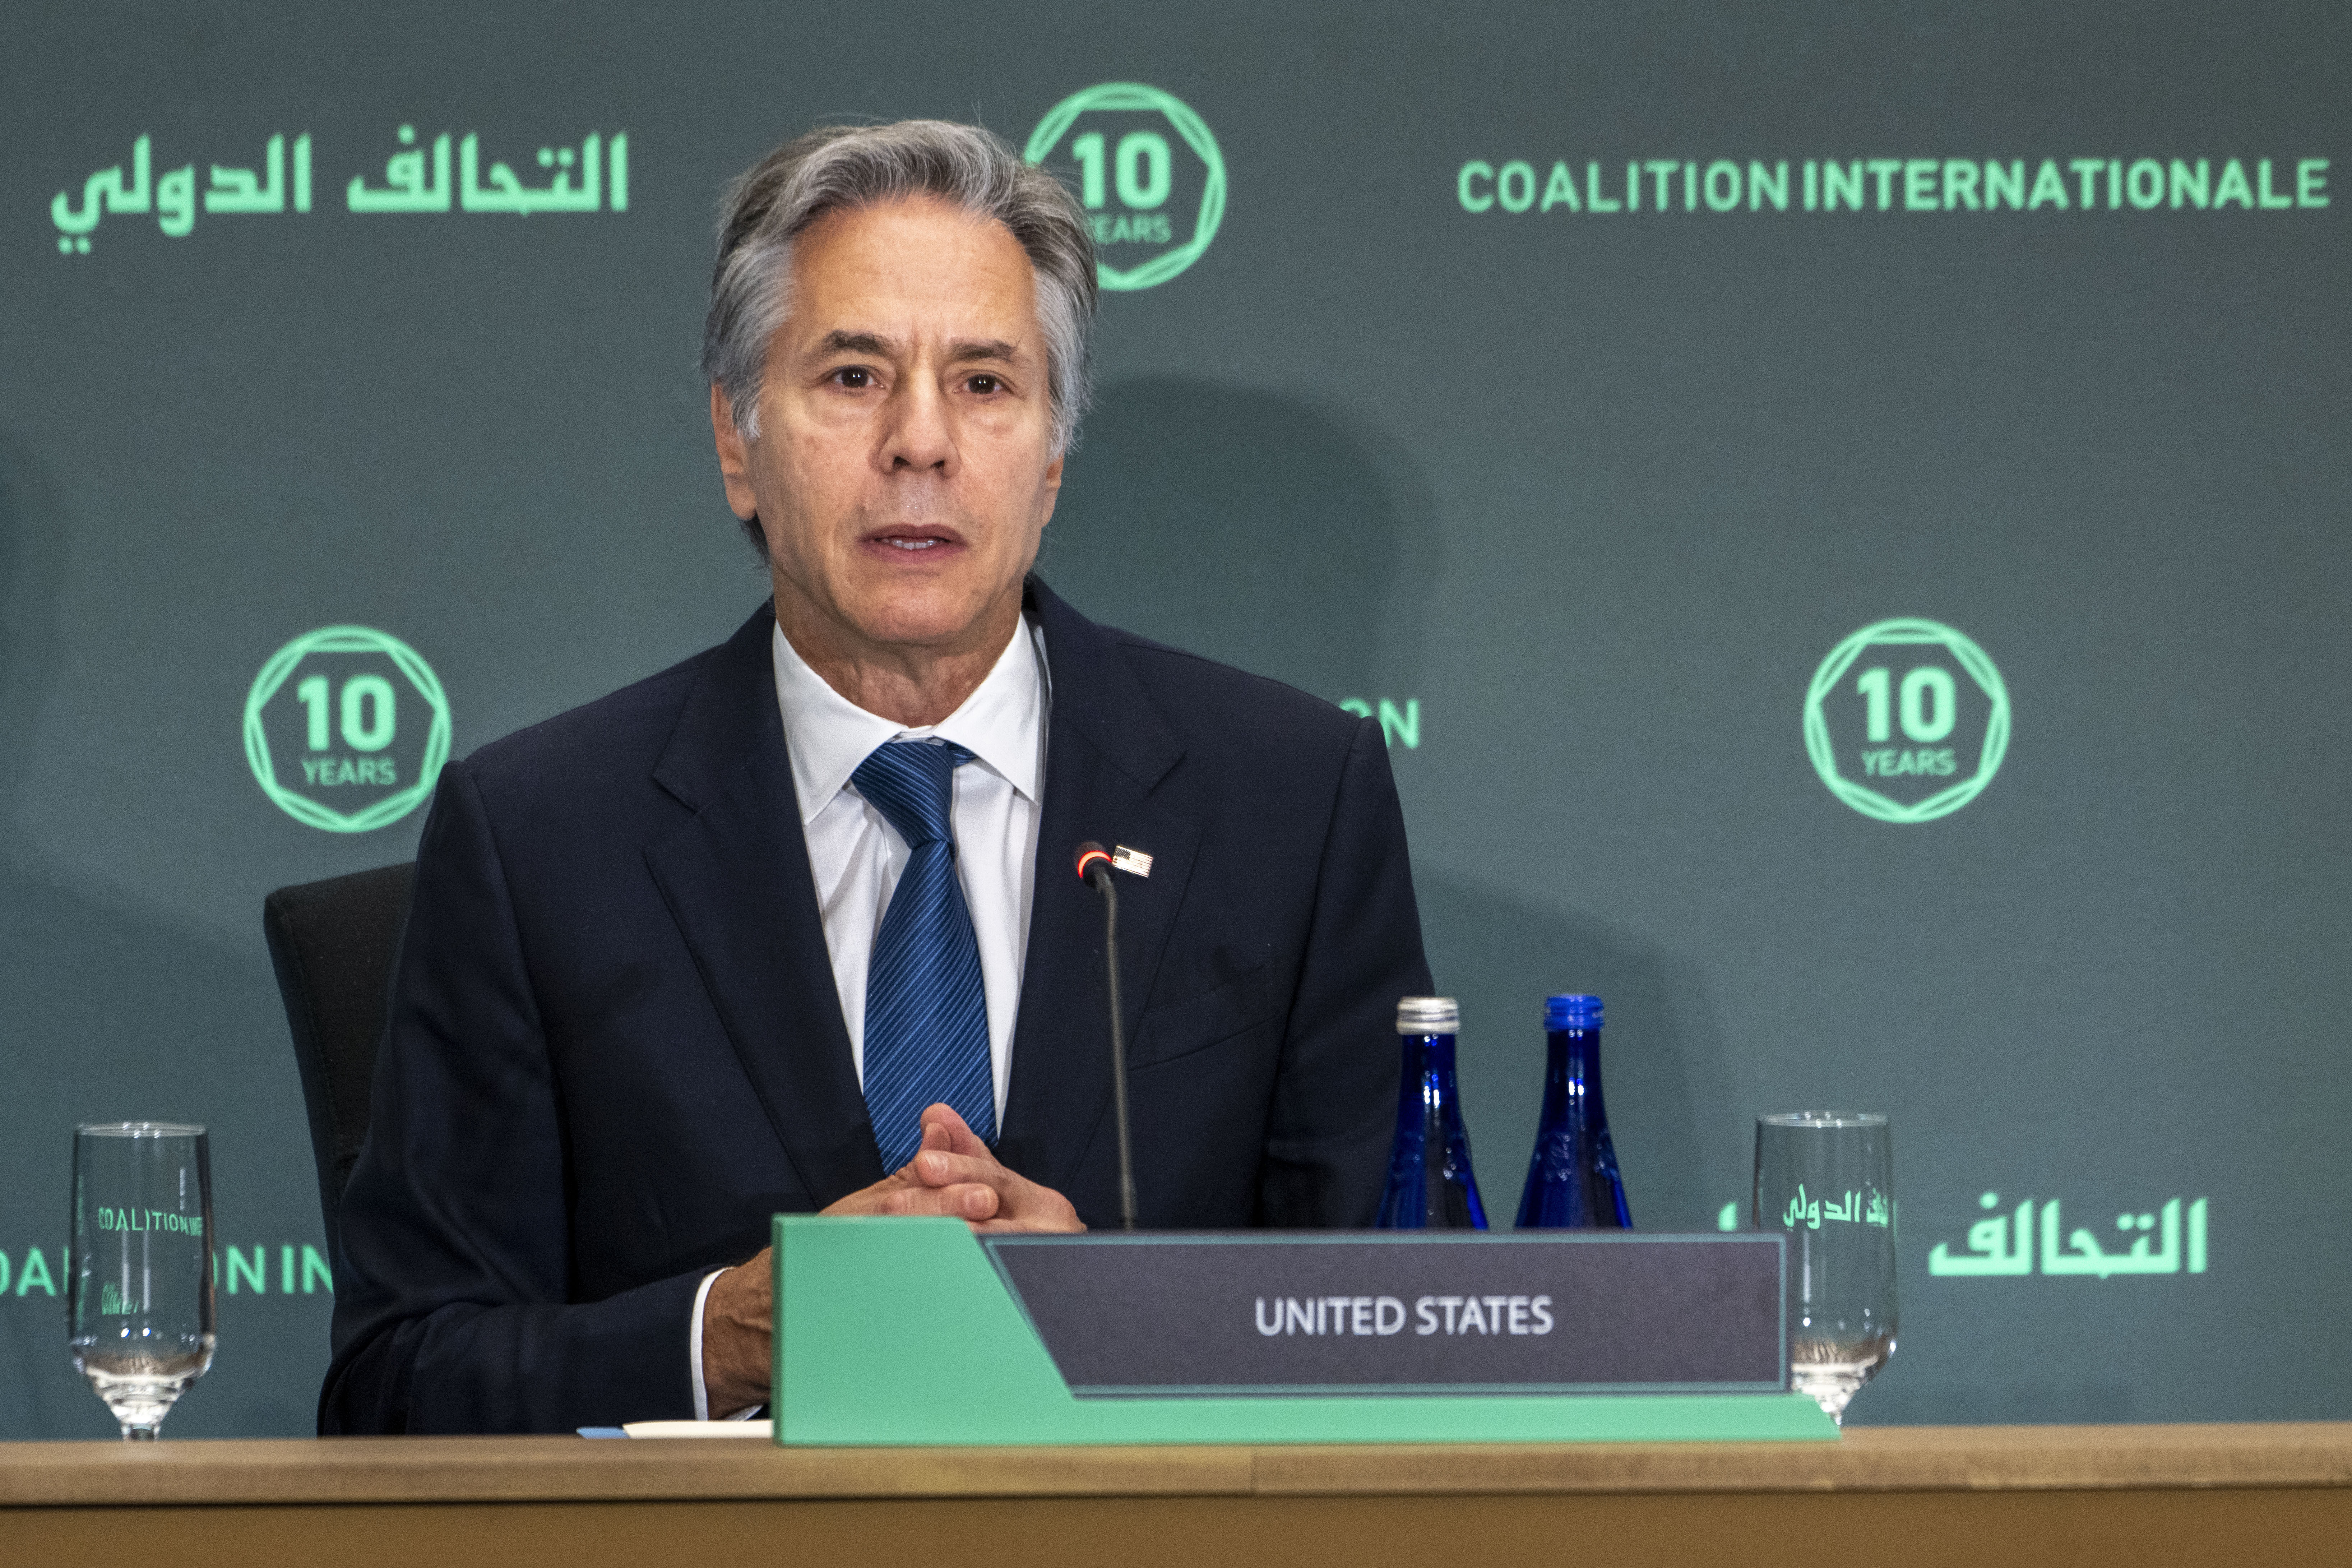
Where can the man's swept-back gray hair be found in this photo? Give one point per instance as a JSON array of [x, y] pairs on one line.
[[843, 168]]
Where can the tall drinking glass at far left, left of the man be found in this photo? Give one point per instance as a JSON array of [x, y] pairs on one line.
[[140, 1266]]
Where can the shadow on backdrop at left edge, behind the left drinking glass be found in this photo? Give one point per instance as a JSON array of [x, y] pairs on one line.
[[112, 1017]]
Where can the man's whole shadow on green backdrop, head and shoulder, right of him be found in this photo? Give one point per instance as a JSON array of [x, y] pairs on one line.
[[1288, 540]]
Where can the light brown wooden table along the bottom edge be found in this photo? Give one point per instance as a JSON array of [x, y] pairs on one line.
[[2010, 1496]]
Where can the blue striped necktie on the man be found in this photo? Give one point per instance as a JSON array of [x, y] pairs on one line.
[[926, 1007]]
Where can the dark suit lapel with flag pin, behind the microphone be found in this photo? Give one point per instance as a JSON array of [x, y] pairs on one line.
[[1107, 753]]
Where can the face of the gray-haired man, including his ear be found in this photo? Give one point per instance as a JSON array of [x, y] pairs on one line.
[[907, 460]]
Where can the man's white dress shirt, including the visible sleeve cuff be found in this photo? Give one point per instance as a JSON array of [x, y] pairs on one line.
[[855, 855]]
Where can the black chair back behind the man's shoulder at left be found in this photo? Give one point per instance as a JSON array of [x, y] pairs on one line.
[[333, 946]]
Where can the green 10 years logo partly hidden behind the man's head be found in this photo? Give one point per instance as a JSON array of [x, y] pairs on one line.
[[1118, 138]]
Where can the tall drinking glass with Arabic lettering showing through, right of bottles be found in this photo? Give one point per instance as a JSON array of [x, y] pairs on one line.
[[1826, 1181]]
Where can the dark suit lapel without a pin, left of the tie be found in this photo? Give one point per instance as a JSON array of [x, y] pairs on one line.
[[737, 883]]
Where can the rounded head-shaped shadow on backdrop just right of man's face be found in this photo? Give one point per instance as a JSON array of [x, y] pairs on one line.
[[1252, 528]]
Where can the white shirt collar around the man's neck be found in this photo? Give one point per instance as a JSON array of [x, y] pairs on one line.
[[829, 737]]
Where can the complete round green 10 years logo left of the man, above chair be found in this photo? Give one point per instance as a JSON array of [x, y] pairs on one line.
[[347, 730]]
